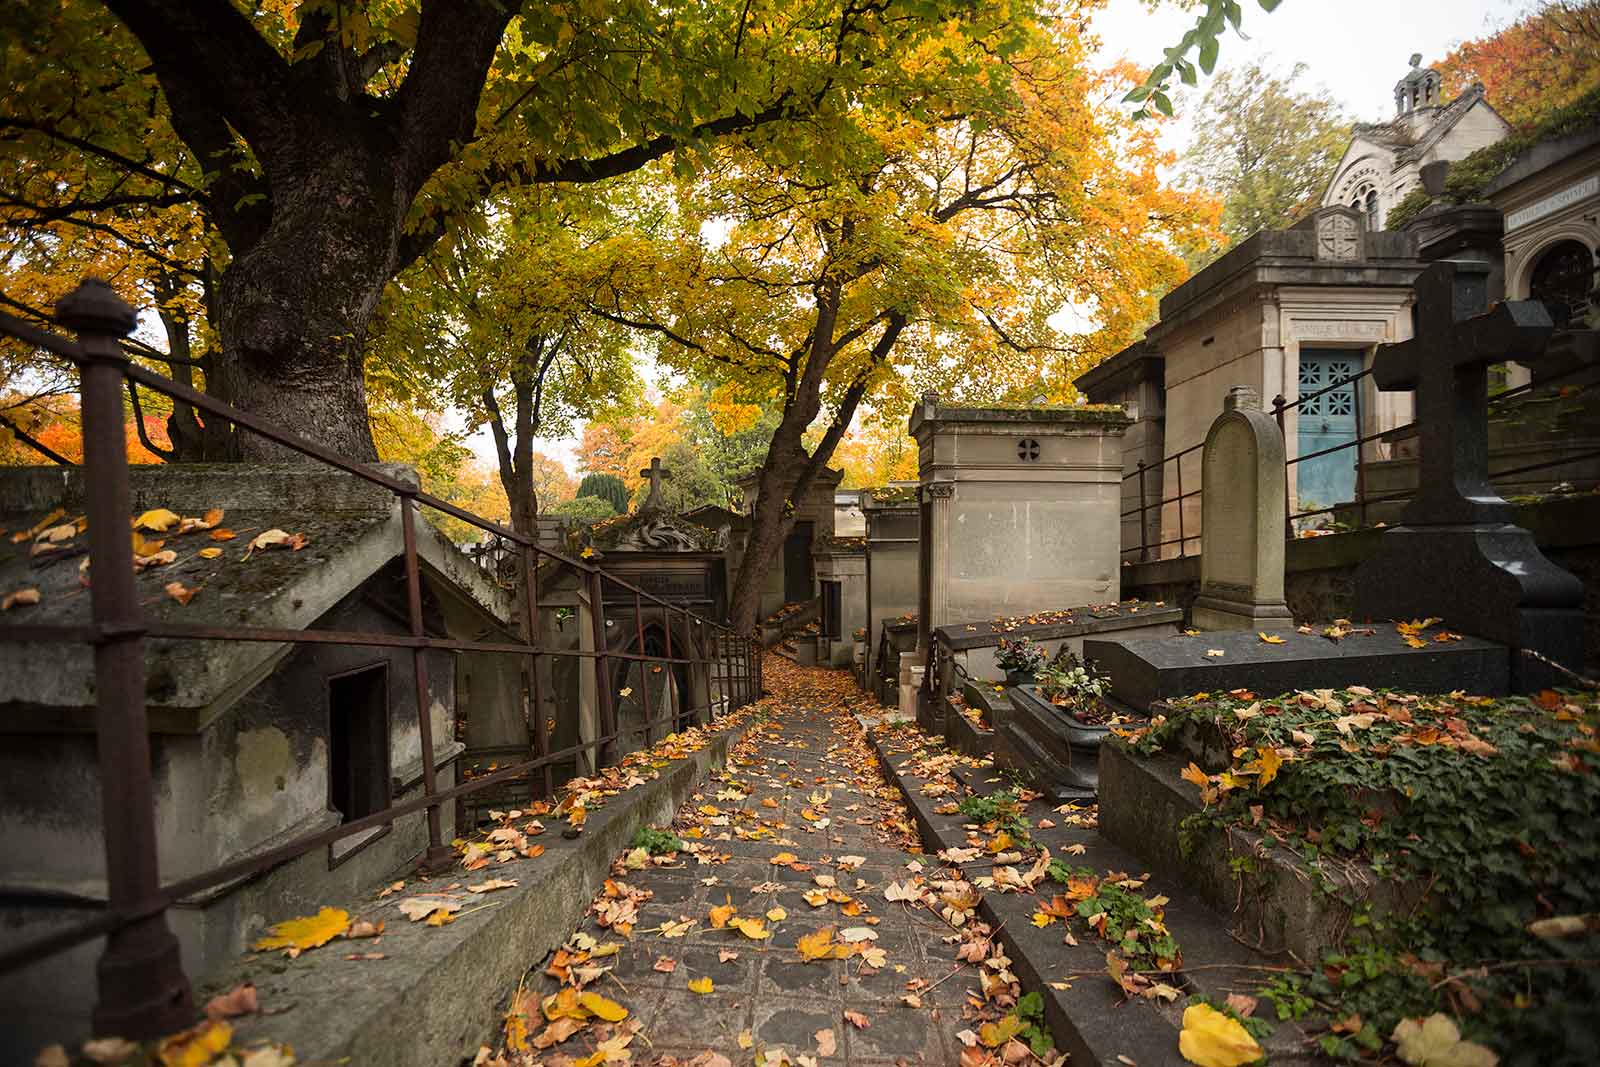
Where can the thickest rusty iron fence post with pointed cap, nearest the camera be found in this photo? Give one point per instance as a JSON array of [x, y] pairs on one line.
[[143, 988]]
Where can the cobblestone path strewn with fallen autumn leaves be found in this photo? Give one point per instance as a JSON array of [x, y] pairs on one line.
[[799, 837]]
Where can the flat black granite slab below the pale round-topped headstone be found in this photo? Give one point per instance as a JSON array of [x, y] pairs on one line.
[[1156, 668]]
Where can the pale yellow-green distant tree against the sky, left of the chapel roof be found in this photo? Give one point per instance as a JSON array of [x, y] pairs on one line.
[[1266, 146]]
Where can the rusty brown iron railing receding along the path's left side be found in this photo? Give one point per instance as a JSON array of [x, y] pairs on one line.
[[143, 989]]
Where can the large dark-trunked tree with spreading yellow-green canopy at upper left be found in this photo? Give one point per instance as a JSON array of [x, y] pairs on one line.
[[332, 143]]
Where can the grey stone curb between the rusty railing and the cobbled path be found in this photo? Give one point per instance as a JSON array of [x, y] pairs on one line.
[[454, 981]]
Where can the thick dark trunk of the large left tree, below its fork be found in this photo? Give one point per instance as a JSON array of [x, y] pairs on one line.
[[295, 308]]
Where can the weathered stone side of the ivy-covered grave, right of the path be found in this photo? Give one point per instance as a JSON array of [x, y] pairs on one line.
[[1270, 895]]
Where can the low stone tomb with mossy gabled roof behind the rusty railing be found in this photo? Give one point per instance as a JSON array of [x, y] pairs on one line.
[[252, 743]]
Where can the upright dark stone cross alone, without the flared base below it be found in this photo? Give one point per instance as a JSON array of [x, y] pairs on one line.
[[1447, 364]]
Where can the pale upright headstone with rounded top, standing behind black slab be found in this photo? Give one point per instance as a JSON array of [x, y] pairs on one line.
[[1244, 521]]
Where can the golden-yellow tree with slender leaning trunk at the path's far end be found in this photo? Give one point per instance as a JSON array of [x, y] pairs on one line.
[[865, 242]]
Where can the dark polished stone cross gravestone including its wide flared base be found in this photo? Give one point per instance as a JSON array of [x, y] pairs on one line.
[[1457, 553]]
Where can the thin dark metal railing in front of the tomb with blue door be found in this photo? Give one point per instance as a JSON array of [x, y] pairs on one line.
[[1362, 502]]
